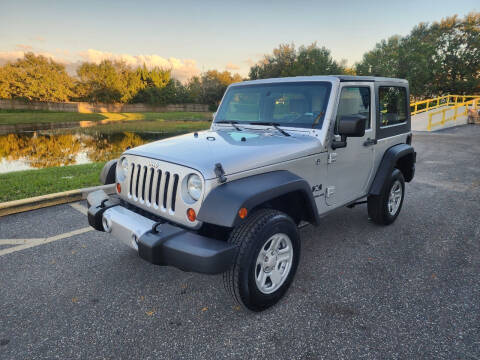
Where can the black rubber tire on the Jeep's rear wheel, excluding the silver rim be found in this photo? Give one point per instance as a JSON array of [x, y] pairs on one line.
[[378, 209]]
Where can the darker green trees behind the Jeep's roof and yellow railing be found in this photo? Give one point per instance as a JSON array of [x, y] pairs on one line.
[[437, 59]]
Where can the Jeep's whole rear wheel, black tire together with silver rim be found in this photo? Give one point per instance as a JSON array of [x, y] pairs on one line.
[[384, 208]]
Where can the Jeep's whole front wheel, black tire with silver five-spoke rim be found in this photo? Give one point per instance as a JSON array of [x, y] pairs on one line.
[[268, 255]]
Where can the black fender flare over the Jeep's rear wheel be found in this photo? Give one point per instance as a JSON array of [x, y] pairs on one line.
[[389, 160]]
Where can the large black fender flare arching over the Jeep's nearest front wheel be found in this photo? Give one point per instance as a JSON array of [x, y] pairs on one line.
[[221, 205]]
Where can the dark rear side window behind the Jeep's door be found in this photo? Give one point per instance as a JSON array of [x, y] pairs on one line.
[[393, 105]]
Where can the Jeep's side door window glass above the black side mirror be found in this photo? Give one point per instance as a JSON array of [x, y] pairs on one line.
[[354, 100]]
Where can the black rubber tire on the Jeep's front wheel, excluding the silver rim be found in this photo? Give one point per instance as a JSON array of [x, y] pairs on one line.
[[251, 237]]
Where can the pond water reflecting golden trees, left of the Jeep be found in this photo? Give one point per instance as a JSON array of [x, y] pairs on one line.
[[45, 148]]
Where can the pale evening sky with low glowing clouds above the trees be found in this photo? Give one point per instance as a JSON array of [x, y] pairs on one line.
[[194, 36]]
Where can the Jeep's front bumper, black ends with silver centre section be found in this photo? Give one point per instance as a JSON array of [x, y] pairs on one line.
[[159, 243]]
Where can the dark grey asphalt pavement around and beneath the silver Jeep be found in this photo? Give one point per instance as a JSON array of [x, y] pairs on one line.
[[407, 291]]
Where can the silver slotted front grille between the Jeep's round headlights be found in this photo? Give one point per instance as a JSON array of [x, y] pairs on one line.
[[153, 187]]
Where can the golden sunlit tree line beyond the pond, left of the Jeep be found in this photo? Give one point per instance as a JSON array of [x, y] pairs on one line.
[[37, 78]]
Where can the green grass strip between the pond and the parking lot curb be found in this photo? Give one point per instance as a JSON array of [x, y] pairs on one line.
[[27, 183]]
